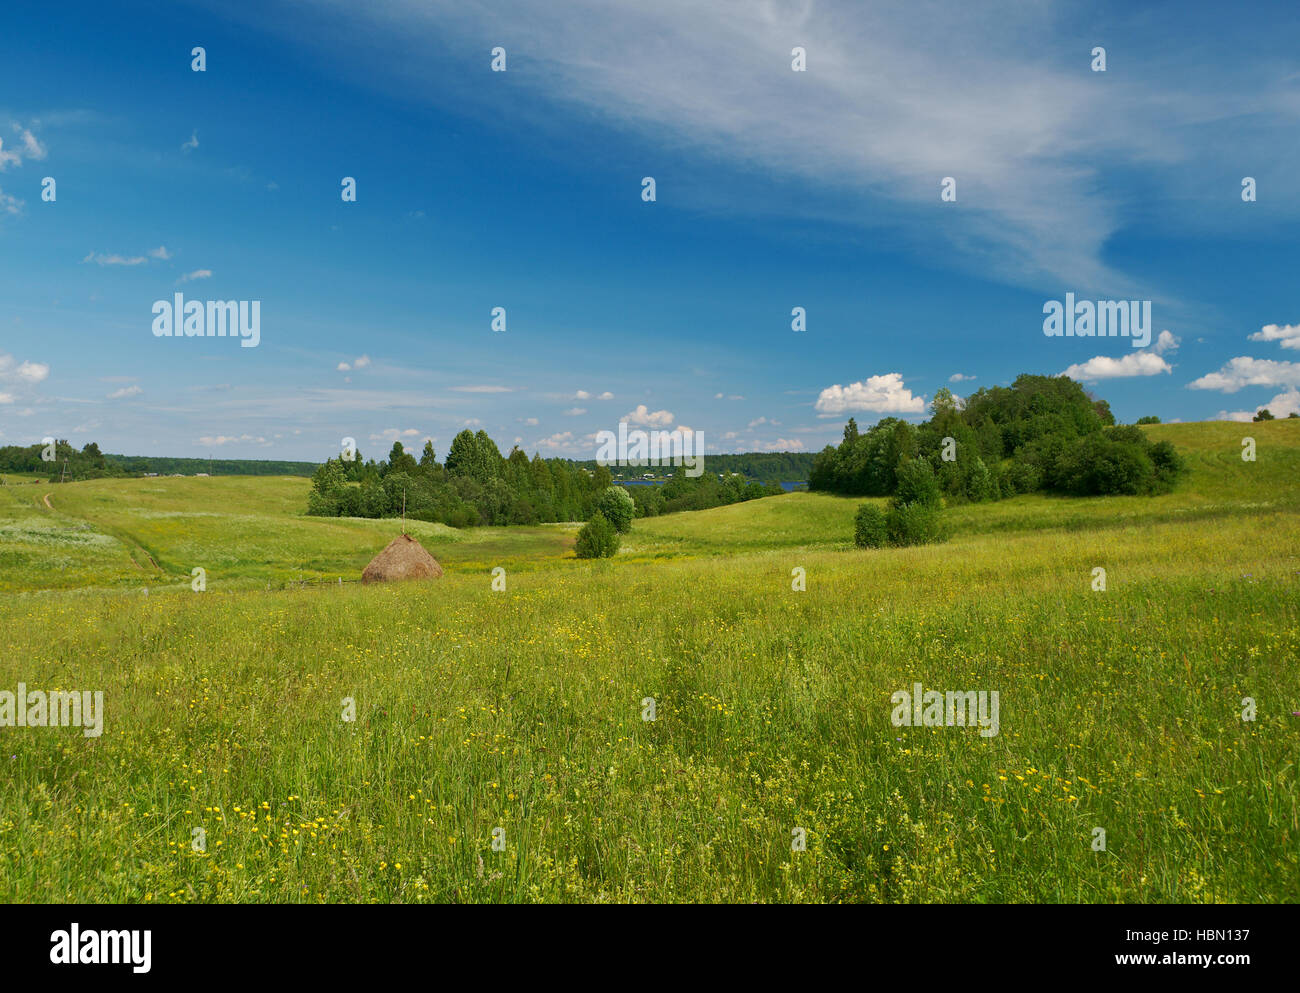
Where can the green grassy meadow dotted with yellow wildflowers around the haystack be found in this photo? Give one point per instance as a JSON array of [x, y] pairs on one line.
[[522, 712]]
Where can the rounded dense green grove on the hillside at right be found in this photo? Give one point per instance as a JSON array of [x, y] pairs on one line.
[[1039, 435]]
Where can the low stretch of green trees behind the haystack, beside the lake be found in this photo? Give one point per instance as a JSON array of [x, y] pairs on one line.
[[479, 485]]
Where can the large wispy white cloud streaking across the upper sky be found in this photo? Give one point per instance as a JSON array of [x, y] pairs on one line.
[[1021, 128]]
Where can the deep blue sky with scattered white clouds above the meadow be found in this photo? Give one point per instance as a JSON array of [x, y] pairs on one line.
[[523, 190]]
